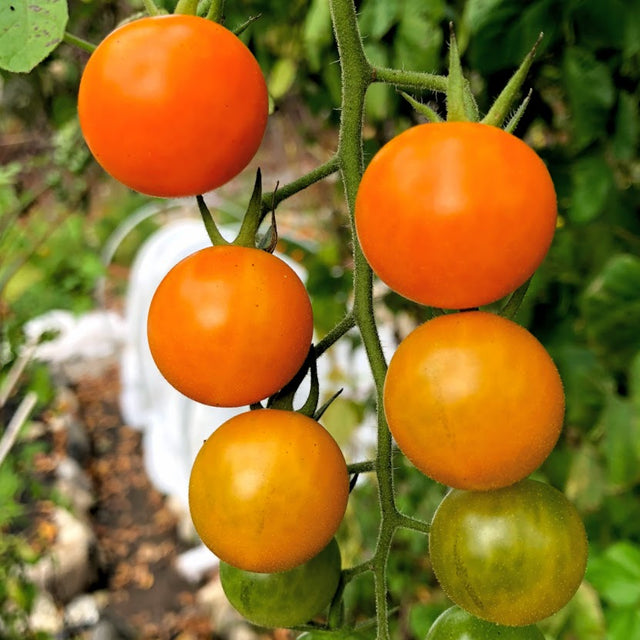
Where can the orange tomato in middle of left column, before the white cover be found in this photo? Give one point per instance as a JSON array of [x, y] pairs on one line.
[[230, 326]]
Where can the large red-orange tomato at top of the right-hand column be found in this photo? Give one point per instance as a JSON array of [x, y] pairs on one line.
[[455, 214]]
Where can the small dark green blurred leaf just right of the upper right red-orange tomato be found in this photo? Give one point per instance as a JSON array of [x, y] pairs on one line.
[[592, 183]]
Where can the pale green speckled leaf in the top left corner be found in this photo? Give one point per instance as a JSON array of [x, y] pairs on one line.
[[29, 31]]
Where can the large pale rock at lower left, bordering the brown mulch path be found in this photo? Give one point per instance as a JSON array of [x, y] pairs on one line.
[[70, 566]]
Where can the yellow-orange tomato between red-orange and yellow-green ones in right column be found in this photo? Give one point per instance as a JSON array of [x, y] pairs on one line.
[[473, 400]]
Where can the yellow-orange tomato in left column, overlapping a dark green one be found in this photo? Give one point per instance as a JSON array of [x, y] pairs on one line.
[[268, 490]]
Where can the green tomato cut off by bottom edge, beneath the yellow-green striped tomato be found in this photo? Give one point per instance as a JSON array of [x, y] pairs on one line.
[[457, 624]]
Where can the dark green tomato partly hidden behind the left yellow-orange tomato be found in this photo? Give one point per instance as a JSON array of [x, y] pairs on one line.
[[288, 598]]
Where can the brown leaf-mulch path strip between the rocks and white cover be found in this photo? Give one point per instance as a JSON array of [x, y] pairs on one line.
[[136, 532]]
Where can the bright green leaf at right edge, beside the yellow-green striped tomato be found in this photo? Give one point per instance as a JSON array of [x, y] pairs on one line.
[[616, 575]]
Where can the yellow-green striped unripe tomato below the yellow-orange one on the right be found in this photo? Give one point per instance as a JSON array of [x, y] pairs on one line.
[[513, 556]]
